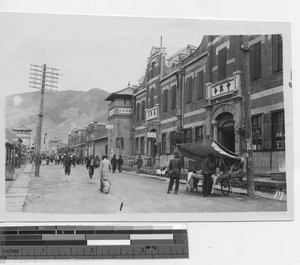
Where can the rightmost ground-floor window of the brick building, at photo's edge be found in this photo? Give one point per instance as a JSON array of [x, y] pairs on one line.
[[278, 131]]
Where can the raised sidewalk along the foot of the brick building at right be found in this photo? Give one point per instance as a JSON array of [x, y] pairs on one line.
[[235, 190]]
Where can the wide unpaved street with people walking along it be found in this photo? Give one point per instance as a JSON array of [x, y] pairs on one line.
[[54, 192]]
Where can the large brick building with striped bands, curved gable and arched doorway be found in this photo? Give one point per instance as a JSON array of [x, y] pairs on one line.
[[200, 91]]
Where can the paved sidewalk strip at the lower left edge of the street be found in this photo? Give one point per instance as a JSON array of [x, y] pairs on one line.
[[17, 193]]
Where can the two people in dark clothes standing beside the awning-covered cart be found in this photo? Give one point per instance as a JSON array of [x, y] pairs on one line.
[[208, 169]]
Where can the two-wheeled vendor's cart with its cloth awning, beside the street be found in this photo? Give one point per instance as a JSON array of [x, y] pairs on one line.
[[200, 150]]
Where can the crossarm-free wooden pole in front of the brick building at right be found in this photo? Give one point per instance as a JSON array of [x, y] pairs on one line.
[[247, 114]]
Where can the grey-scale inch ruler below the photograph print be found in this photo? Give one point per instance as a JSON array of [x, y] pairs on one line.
[[94, 242]]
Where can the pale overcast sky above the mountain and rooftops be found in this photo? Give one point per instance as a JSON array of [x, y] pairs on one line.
[[90, 51]]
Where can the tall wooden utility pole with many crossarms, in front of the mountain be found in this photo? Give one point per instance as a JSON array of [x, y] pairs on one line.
[[42, 77]]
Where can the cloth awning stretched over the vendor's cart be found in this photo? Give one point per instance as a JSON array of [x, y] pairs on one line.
[[200, 150]]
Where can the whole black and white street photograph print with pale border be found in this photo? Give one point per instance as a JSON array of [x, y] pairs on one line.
[[180, 119]]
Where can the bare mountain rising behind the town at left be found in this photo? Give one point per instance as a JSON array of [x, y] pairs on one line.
[[63, 110]]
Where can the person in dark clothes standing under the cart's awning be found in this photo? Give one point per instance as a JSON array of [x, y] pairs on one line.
[[207, 171]]
